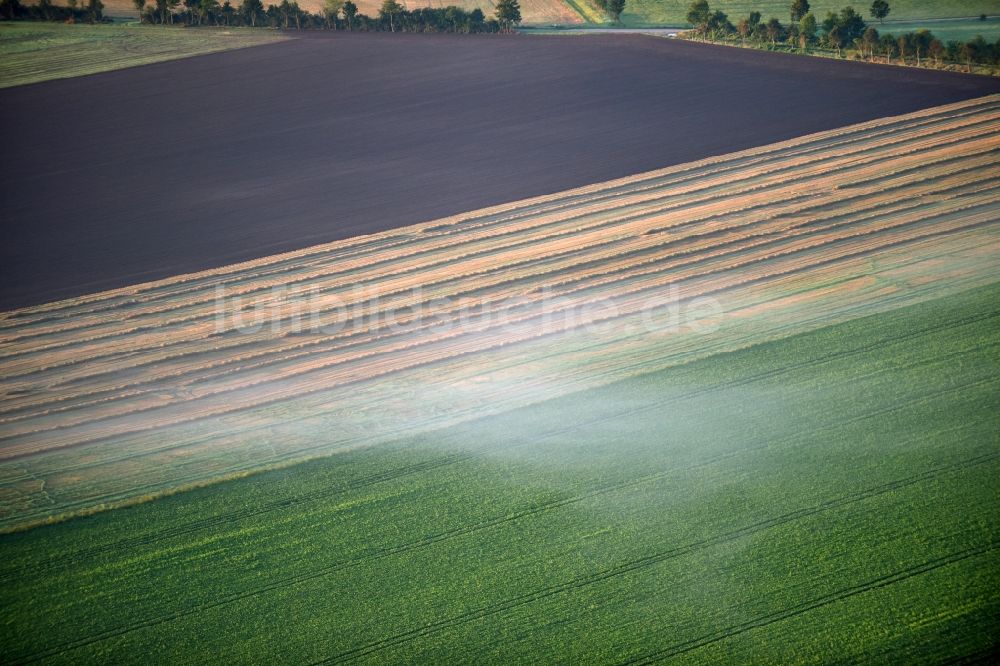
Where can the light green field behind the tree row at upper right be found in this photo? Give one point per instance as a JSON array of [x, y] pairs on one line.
[[673, 12]]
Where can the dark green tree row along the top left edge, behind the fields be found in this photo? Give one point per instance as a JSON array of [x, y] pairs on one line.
[[335, 15]]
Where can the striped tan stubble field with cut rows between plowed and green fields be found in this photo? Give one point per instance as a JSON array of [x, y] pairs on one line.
[[120, 395]]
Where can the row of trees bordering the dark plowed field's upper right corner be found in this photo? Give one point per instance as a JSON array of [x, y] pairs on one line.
[[839, 31]]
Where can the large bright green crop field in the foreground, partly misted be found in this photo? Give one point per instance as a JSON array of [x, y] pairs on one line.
[[829, 496]]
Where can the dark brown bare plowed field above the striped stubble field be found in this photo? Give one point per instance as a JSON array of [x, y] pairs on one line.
[[169, 168]]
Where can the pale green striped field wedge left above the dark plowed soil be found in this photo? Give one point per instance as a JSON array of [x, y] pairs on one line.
[[32, 52]]
